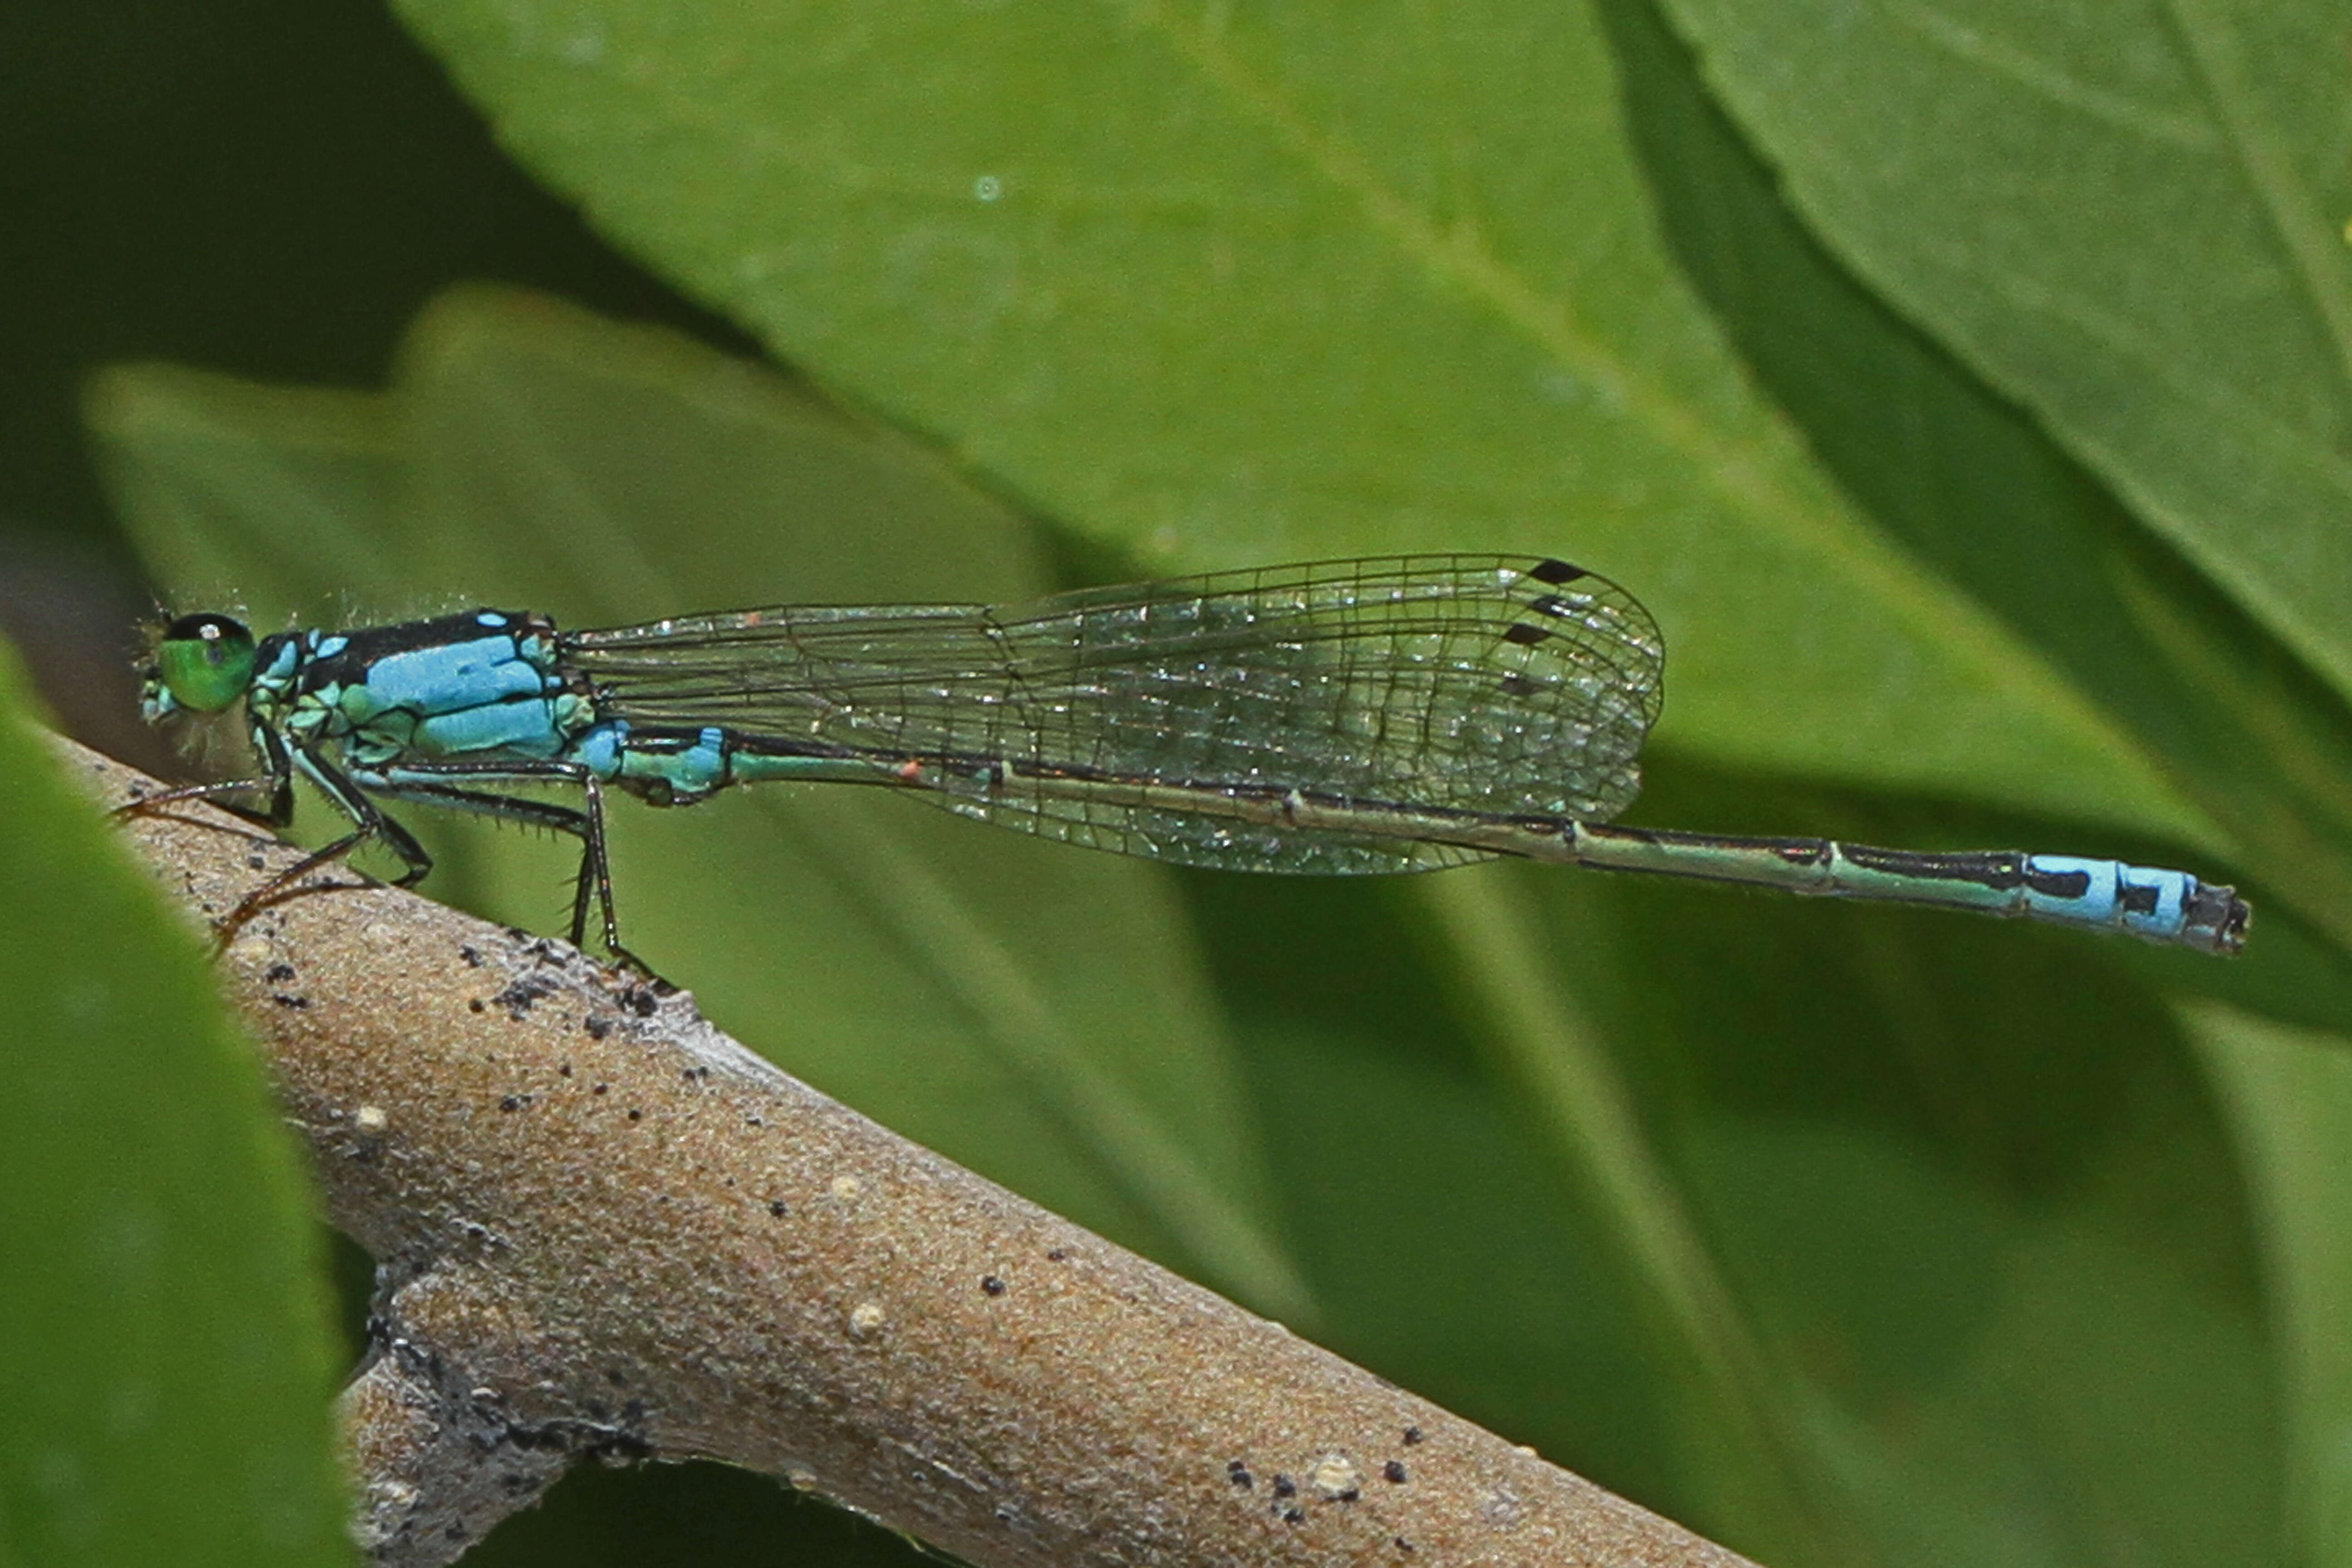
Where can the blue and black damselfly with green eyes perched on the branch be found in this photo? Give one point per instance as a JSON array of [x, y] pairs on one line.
[[1372, 716]]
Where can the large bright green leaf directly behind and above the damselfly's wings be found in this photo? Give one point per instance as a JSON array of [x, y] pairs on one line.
[[1241, 286]]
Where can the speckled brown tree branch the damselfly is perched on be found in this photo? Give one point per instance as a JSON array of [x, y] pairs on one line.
[[610, 1231]]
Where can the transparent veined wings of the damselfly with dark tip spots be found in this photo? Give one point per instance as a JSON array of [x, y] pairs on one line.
[[1459, 683]]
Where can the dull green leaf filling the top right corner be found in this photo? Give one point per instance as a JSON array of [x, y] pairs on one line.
[[2130, 217]]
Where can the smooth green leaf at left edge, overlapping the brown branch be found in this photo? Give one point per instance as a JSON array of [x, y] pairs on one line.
[[166, 1360]]
